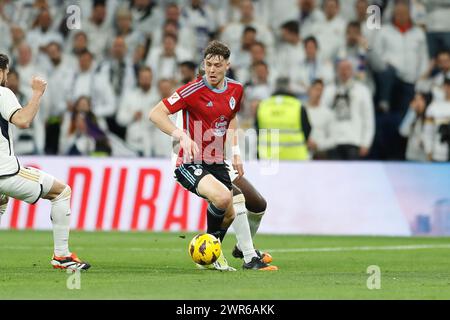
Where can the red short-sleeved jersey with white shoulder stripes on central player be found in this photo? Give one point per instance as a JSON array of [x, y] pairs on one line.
[[207, 113]]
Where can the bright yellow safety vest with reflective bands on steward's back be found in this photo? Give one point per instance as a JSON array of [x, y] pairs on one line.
[[288, 142]]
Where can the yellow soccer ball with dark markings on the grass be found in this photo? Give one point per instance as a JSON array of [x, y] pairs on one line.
[[204, 249]]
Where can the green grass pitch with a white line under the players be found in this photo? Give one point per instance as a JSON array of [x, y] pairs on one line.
[[157, 266]]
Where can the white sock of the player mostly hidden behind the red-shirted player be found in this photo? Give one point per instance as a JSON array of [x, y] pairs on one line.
[[242, 230]]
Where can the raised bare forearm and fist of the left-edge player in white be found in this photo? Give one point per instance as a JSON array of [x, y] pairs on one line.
[[23, 117]]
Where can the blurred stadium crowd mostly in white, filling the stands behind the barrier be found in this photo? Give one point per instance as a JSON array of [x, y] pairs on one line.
[[370, 93]]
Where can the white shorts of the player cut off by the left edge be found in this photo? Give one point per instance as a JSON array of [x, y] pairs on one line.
[[28, 185]]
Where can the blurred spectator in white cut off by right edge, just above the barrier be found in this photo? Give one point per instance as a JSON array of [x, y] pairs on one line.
[[437, 128]]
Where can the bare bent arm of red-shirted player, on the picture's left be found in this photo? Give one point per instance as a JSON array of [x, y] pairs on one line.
[[159, 115]]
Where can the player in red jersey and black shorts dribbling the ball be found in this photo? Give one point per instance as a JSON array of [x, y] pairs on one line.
[[209, 106]]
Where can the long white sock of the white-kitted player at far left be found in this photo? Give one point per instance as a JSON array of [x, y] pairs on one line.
[[60, 215]]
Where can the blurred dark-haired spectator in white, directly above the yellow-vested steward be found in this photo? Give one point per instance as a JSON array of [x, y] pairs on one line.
[[291, 51]]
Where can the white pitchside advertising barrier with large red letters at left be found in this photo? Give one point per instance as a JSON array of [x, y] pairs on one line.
[[341, 198]]
